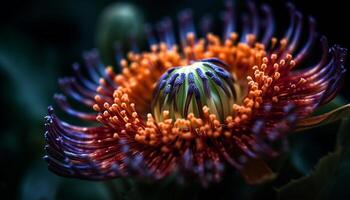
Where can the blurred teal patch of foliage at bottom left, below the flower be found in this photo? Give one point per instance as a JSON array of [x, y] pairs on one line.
[[39, 183]]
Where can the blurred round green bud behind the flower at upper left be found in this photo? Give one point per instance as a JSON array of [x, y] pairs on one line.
[[118, 23]]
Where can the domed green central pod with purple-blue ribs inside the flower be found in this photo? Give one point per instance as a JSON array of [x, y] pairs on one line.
[[186, 89]]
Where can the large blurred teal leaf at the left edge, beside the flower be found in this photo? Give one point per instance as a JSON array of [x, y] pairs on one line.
[[28, 68]]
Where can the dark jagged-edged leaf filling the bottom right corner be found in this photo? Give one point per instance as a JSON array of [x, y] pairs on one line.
[[331, 176]]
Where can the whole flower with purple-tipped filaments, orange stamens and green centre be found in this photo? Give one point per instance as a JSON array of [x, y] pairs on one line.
[[198, 106]]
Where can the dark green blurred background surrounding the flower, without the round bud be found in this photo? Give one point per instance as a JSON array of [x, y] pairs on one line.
[[40, 39]]
